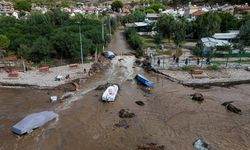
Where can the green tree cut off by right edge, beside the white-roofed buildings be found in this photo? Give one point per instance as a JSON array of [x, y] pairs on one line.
[[245, 33]]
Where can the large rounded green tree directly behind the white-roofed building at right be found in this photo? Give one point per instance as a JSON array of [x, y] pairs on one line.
[[207, 25]]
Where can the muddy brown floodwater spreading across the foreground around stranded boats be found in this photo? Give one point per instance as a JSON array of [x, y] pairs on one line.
[[169, 116]]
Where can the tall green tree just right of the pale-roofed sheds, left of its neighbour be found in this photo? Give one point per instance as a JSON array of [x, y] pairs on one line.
[[165, 25]]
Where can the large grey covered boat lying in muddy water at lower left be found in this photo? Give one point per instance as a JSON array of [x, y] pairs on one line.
[[33, 121]]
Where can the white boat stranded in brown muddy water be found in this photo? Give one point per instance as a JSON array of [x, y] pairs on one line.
[[110, 93]]
